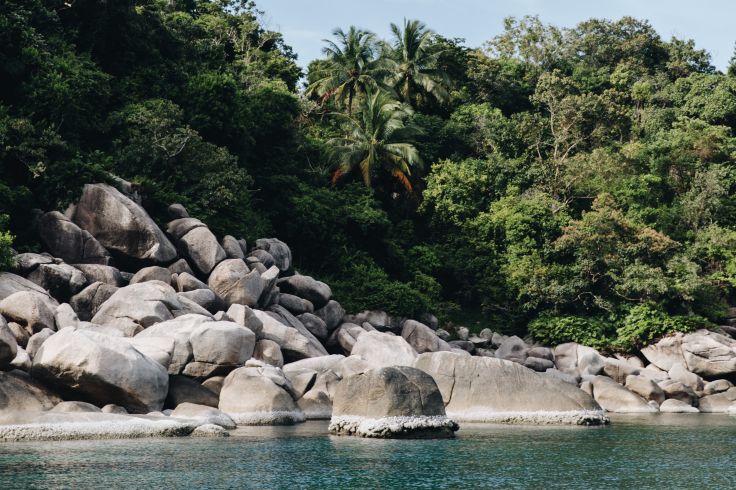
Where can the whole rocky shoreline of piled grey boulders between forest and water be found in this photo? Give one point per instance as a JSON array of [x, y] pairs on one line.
[[121, 329]]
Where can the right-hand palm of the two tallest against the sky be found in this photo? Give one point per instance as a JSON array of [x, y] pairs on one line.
[[416, 63]]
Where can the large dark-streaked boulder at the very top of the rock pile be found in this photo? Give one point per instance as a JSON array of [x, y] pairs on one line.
[[122, 226]]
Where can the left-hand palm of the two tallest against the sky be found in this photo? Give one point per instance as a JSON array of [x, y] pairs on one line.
[[351, 67]]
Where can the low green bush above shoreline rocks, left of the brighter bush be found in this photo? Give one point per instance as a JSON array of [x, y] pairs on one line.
[[553, 330]]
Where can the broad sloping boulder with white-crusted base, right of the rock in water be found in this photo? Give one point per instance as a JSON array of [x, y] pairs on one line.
[[488, 389]]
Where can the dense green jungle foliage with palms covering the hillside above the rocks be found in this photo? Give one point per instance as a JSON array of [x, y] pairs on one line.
[[576, 182]]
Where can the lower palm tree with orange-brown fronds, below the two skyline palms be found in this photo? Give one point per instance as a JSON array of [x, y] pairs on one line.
[[376, 138]]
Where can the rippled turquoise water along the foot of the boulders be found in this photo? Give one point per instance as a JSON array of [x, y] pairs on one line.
[[654, 451]]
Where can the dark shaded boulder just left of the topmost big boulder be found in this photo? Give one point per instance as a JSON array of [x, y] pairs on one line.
[[67, 241]]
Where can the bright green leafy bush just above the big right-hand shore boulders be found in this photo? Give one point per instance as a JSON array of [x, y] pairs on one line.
[[646, 323]]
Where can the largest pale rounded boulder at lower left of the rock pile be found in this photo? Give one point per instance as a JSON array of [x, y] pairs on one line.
[[101, 369]]
